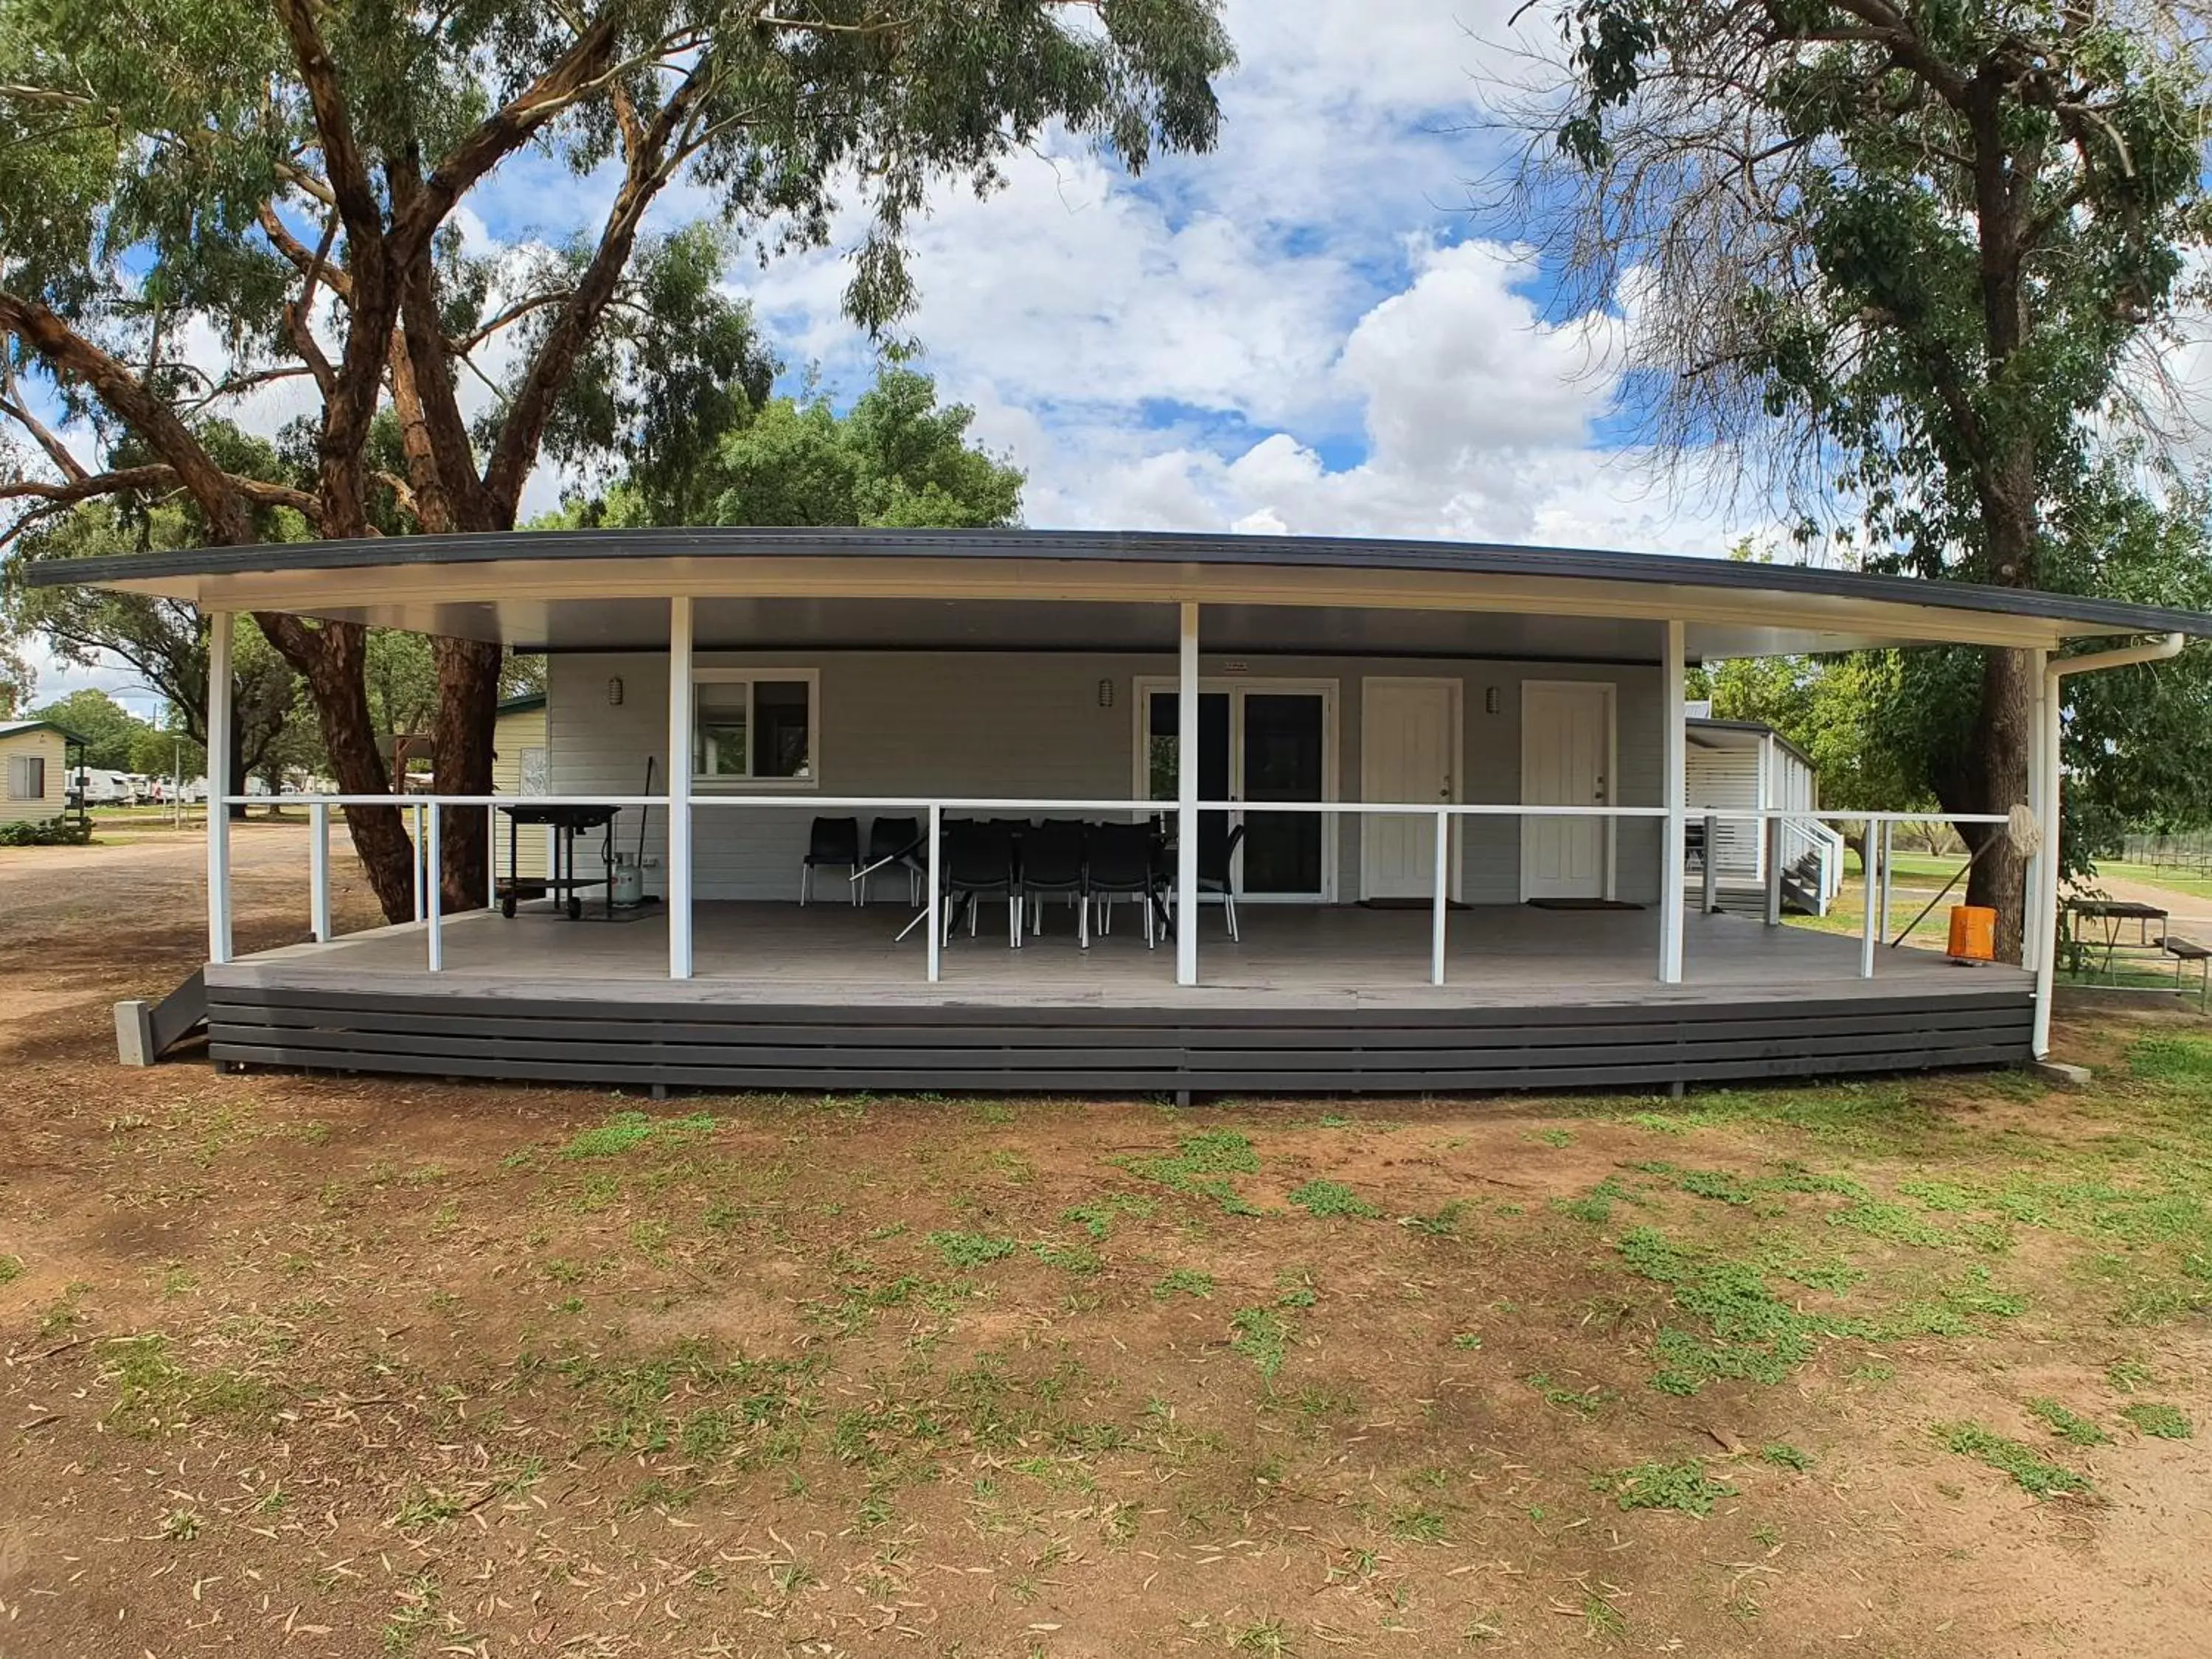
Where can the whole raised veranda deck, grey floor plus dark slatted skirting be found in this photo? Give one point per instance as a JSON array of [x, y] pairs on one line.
[[1313, 1001]]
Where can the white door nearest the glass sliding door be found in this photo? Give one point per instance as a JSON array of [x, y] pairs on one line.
[[1410, 753]]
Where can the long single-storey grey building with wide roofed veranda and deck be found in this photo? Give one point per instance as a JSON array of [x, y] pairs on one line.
[[1131, 813]]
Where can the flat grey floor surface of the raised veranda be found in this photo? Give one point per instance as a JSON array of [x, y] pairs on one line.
[[1291, 957]]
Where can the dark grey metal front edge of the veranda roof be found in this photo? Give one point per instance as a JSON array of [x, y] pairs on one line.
[[1125, 547]]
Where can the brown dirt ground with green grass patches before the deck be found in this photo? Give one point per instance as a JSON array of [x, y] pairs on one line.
[[309, 1366]]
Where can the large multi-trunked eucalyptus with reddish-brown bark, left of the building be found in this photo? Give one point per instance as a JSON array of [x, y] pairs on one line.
[[216, 200]]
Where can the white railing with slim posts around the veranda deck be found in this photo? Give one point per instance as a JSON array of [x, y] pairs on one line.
[[428, 815]]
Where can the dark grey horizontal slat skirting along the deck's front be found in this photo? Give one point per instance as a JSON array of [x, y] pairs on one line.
[[1087, 1050]]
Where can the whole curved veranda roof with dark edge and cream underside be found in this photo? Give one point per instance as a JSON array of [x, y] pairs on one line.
[[1103, 592]]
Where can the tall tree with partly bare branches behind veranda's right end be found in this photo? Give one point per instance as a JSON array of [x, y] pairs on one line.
[[1906, 264]]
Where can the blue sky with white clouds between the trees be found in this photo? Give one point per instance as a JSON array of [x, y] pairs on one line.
[[1302, 331]]
